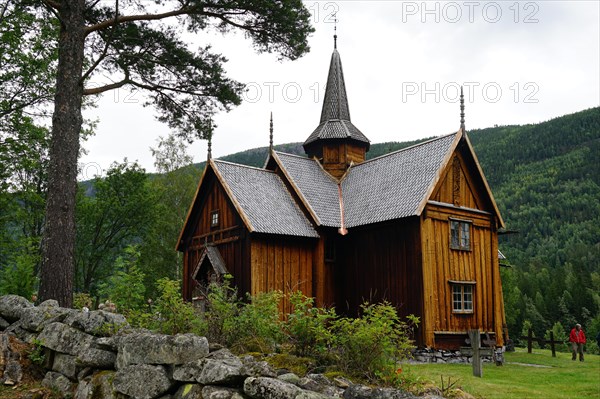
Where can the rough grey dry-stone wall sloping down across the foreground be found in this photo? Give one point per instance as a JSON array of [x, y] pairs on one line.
[[85, 361]]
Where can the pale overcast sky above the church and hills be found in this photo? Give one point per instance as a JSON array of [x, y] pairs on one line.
[[520, 62]]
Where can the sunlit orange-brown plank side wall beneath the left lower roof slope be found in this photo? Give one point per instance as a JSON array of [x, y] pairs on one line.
[[282, 263]]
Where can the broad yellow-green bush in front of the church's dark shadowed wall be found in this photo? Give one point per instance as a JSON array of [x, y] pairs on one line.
[[370, 346]]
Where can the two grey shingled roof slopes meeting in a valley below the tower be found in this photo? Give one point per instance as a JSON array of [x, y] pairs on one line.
[[389, 187]]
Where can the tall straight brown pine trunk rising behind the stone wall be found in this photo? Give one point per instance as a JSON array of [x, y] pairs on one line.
[[56, 275]]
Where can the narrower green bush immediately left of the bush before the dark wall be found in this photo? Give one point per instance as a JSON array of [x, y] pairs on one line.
[[308, 327]]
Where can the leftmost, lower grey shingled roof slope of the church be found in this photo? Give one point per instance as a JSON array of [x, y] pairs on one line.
[[263, 200]]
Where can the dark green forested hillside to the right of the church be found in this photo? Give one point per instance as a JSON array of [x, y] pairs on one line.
[[545, 178]]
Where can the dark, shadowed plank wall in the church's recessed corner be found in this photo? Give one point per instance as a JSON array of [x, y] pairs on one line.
[[381, 262]]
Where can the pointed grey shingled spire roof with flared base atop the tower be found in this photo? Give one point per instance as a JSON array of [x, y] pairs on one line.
[[335, 116]]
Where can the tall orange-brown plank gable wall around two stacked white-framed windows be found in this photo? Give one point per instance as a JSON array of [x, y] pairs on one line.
[[459, 196]]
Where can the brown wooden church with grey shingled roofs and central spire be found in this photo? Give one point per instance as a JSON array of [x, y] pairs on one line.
[[417, 227]]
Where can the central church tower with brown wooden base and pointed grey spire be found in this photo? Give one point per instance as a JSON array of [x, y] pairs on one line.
[[336, 142]]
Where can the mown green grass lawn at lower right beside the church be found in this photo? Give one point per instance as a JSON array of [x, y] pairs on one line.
[[521, 377]]
